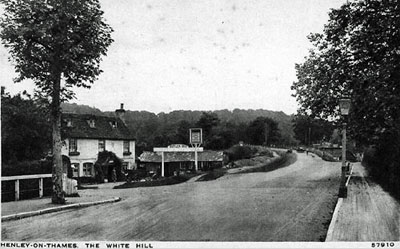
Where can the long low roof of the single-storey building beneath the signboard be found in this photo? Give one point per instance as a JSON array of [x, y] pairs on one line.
[[205, 156]]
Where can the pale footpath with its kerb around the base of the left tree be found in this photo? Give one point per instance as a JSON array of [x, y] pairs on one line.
[[27, 208]]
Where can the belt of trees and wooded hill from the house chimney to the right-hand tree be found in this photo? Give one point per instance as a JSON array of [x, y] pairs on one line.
[[221, 129]]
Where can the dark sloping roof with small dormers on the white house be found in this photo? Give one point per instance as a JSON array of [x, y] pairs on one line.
[[103, 127]]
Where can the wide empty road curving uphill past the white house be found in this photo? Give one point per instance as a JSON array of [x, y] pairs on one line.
[[294, 203]]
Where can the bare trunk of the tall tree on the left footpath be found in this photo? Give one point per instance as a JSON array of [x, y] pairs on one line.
[[58, 196]]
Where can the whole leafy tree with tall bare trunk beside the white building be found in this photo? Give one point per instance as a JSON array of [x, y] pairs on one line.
[[54, 40]]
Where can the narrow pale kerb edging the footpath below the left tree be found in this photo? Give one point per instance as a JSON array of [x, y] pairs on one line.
[[56, 209]]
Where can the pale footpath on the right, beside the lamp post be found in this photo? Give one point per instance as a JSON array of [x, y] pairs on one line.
[[367, 214]]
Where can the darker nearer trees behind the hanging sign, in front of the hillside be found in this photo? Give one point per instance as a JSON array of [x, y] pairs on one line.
[[219, 135]]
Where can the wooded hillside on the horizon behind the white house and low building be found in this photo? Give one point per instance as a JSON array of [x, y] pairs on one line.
[[229, 127]]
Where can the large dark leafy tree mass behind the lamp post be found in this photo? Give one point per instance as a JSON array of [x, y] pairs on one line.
[[358, 54]]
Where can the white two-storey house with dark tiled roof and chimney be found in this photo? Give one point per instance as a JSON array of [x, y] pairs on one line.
[[87, 135]]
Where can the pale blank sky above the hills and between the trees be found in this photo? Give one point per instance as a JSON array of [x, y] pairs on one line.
[[199, 55]]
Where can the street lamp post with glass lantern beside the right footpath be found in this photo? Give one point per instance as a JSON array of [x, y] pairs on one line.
[[344, 104]]
